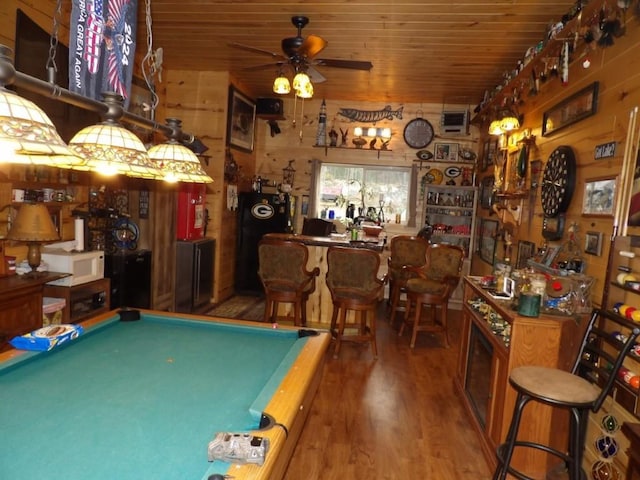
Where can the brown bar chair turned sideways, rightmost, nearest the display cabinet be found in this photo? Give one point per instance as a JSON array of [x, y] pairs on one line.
[[432, 286]]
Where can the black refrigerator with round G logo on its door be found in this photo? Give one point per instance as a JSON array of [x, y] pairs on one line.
[[258, 214]]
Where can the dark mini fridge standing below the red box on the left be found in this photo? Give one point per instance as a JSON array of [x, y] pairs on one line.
[[194, 274]]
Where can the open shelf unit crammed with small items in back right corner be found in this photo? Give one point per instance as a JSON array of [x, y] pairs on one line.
[[450, 211]]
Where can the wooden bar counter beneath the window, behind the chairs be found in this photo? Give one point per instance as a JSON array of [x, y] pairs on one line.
[[319, 306]]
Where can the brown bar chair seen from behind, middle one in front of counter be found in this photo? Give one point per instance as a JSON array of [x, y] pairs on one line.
[[352, 279]]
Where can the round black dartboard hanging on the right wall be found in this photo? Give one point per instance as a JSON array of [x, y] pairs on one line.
[[558, 181]]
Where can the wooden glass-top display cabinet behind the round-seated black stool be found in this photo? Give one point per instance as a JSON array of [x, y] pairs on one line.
[[495, 340]]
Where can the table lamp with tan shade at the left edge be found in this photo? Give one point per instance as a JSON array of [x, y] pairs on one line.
[[33, 225]]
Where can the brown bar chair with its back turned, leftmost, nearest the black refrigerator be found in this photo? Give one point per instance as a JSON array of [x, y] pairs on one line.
[[285, 278]]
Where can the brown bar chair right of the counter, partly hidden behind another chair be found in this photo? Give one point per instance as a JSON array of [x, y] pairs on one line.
[[406, 250]]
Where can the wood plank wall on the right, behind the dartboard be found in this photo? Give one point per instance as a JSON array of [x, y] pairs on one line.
[[617, 69]]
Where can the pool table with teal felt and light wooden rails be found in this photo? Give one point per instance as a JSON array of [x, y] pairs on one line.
[[142, 399]]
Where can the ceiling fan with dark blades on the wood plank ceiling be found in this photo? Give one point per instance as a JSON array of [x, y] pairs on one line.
[[300, 53]]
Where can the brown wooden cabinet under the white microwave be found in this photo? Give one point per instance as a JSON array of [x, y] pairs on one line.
[[82, 301]]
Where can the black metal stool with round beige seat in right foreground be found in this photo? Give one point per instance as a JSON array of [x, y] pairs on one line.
[[580, 391]]
